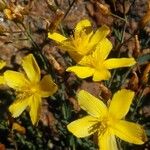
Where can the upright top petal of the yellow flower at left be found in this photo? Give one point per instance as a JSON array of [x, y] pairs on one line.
[[31, 68]]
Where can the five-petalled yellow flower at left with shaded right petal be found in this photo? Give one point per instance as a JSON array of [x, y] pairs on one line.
[[29, 88]]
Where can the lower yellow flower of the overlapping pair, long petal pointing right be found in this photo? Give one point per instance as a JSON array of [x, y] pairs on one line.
[[97, 65]]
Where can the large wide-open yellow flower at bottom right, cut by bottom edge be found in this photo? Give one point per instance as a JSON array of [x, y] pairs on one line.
[[107, 122]]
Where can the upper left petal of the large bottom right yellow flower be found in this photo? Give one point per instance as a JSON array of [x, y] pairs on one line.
[[91, 104]]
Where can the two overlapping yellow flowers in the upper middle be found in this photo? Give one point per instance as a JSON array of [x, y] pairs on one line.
[[90, 50]]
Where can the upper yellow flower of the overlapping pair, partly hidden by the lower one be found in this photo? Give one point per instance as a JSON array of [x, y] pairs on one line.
[[83, 41]]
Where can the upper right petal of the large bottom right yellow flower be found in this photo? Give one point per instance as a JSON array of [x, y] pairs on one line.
[[120, 103]]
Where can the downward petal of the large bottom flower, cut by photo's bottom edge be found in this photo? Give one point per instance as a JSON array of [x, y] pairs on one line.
[[107, 141]]
